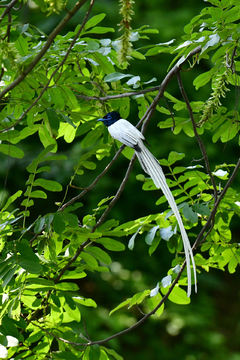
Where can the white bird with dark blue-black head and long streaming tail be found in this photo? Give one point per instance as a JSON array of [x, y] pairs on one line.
[[129, 135]]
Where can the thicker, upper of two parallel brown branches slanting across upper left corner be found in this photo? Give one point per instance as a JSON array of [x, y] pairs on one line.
[[44, 49]]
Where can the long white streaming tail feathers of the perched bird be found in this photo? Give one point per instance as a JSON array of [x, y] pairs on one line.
[[152, 167]]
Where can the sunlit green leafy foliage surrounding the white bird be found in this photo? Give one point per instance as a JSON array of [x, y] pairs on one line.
[[53, 89]]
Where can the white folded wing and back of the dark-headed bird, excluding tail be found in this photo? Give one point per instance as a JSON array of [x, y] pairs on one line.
[[125, 132]]
